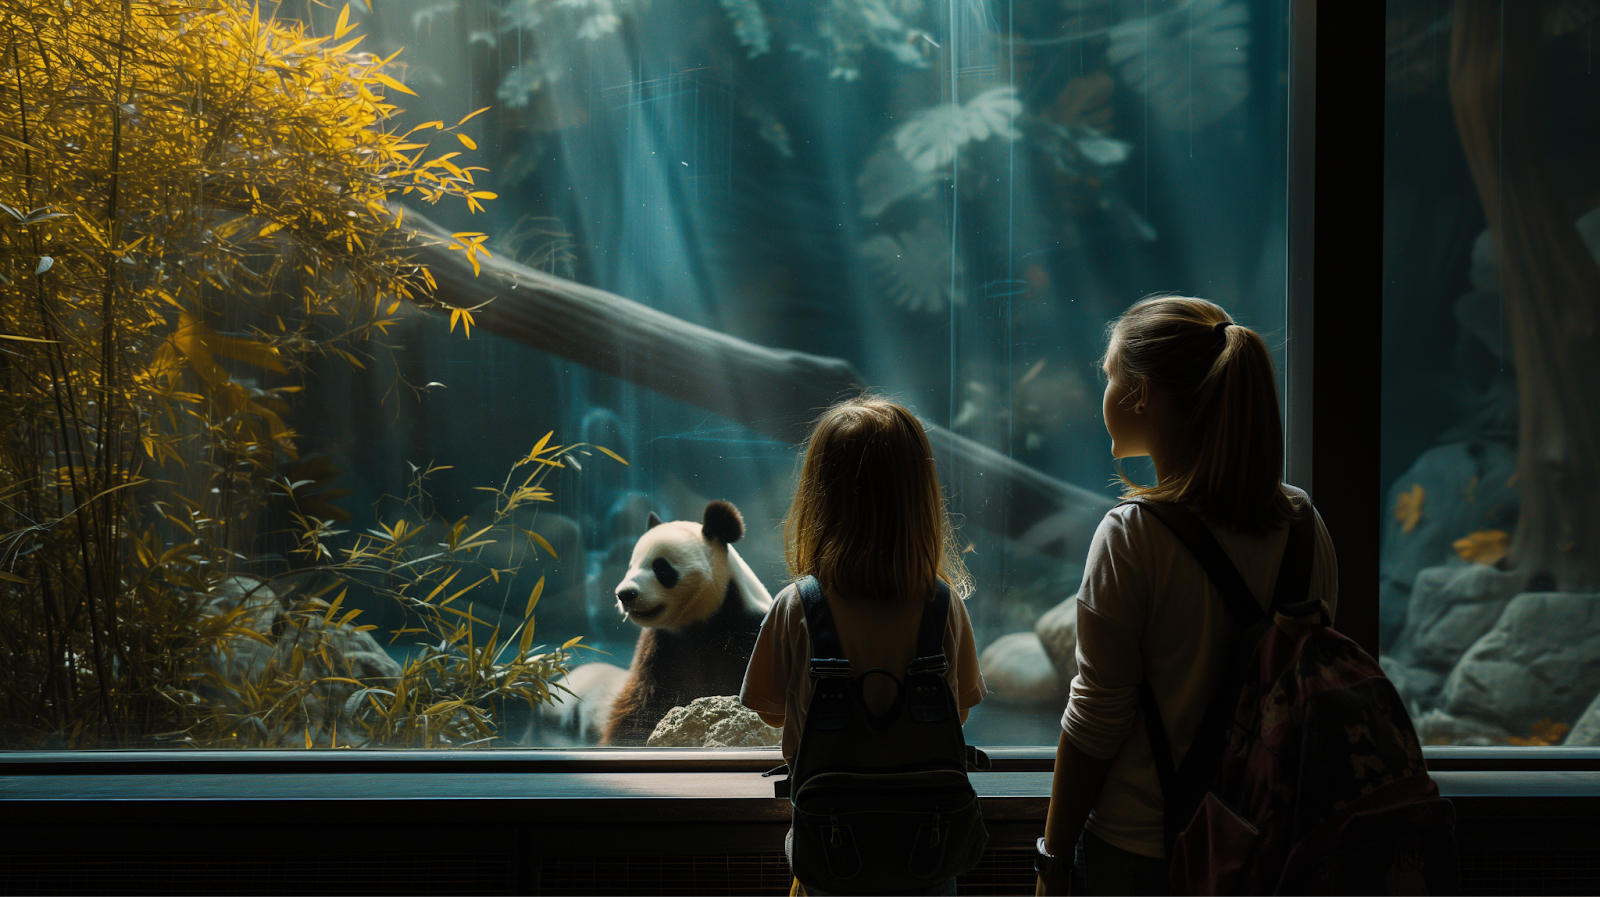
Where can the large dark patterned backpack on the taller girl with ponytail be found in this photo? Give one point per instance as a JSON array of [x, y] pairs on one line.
[[1306, 776]]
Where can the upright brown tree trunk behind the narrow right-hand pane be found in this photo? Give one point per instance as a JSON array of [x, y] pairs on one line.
[[1550, 287]]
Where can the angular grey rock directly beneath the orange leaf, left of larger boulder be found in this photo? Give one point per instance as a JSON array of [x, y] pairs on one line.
[[1452, 608]]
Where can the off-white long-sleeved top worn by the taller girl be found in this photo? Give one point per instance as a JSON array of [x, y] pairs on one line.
[[1148, 608]]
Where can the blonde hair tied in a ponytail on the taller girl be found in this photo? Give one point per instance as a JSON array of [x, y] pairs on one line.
[[1225, 439]]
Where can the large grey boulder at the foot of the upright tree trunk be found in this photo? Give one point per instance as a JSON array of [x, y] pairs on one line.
[[1540, 661]]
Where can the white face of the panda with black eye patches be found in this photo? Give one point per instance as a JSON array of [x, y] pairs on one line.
[[676, 578]]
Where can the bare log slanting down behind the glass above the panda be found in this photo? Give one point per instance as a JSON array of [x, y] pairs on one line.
[[772, 391]]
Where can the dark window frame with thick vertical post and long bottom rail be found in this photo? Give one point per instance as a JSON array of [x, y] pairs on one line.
[[1337, 436]]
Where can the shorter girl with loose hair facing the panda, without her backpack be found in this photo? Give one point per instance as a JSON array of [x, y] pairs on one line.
[[870, 524]]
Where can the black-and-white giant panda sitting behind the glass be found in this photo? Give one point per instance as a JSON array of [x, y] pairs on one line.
[[700, 607]]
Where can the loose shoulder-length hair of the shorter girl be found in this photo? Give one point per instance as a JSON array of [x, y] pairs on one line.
[[868, 517]]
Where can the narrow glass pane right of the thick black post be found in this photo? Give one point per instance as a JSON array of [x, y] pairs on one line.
[[1489, 445]]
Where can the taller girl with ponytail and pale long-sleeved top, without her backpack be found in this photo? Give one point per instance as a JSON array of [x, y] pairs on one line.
[[1196, 393]]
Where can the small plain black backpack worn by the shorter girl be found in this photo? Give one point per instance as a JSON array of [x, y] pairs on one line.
[[882, 802]]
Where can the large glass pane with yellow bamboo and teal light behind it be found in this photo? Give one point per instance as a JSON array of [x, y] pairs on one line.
[[271, 485]]
